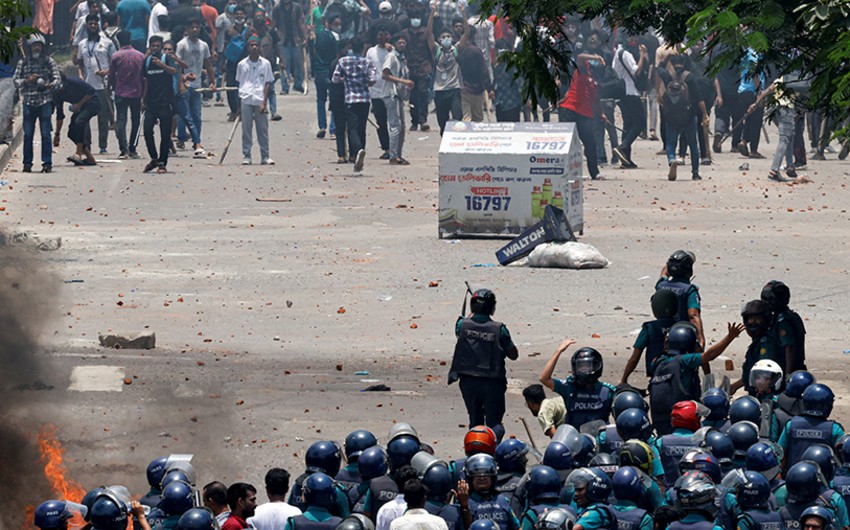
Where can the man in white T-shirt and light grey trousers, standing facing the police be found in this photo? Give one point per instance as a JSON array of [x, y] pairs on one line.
[[254, 76]]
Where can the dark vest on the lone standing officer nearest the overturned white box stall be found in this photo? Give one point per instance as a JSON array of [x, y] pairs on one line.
[[478, 351]]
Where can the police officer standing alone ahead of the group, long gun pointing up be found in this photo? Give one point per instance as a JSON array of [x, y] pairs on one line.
[[479, 362]]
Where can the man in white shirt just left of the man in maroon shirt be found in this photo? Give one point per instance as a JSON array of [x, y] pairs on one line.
[[93, 58]]
